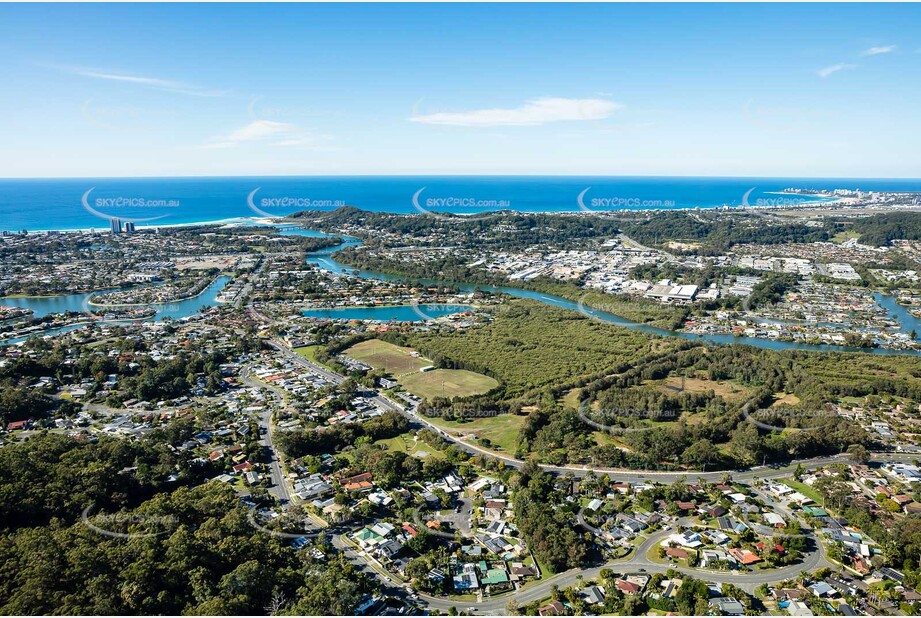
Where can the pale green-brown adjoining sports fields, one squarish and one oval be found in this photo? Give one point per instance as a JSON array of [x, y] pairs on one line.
[[405, 367]]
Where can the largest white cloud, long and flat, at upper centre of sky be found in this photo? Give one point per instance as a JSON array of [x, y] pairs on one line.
[[533, 112]]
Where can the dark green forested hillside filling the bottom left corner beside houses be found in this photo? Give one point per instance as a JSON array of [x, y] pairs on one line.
[[194, 550]]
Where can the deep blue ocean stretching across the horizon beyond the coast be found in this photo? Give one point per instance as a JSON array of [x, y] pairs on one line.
[[69, 204]]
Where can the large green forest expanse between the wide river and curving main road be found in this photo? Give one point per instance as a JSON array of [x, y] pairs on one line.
[[552, 363]]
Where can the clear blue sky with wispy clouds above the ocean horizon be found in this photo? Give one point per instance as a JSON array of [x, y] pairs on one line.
[[721, 90]]
